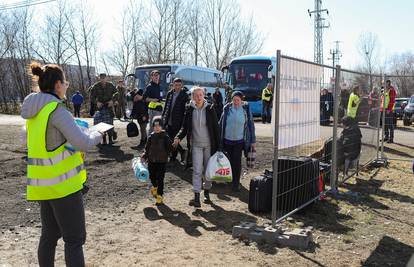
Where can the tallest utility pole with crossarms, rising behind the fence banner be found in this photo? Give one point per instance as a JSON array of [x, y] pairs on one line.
[[319, 26]]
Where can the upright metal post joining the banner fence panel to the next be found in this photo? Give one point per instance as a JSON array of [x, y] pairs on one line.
[[336, 91]]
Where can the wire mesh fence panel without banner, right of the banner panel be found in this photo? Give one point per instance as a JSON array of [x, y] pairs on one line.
[[357, 121]]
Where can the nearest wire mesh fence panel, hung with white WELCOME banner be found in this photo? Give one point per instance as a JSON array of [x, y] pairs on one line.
[[304, 108]]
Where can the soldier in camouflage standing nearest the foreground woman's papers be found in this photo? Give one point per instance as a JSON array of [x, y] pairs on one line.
[[101, 94]]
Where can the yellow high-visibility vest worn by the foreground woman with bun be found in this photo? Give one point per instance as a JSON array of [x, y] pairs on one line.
[[50, 174]]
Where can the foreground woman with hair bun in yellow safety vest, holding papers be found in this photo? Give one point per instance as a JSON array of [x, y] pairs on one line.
[[55, 168]]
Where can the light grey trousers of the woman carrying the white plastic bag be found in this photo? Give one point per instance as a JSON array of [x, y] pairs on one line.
[[200, 156]]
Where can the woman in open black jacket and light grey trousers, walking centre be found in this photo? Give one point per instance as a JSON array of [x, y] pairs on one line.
[[200, 124]]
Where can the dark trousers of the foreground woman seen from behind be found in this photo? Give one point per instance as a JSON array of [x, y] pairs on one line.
[[63, 217]]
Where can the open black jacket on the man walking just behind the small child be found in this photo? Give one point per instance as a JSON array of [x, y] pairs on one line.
[[177, 111]]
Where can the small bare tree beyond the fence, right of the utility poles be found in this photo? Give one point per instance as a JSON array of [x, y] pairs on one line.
[[368, 47]]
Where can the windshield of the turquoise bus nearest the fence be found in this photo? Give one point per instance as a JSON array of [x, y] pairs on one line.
[[248, 75]]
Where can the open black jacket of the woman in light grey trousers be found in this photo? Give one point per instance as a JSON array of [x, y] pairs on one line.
[[212, 125]]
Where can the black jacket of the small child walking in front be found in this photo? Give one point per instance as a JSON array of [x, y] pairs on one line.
[[157, 148]]
